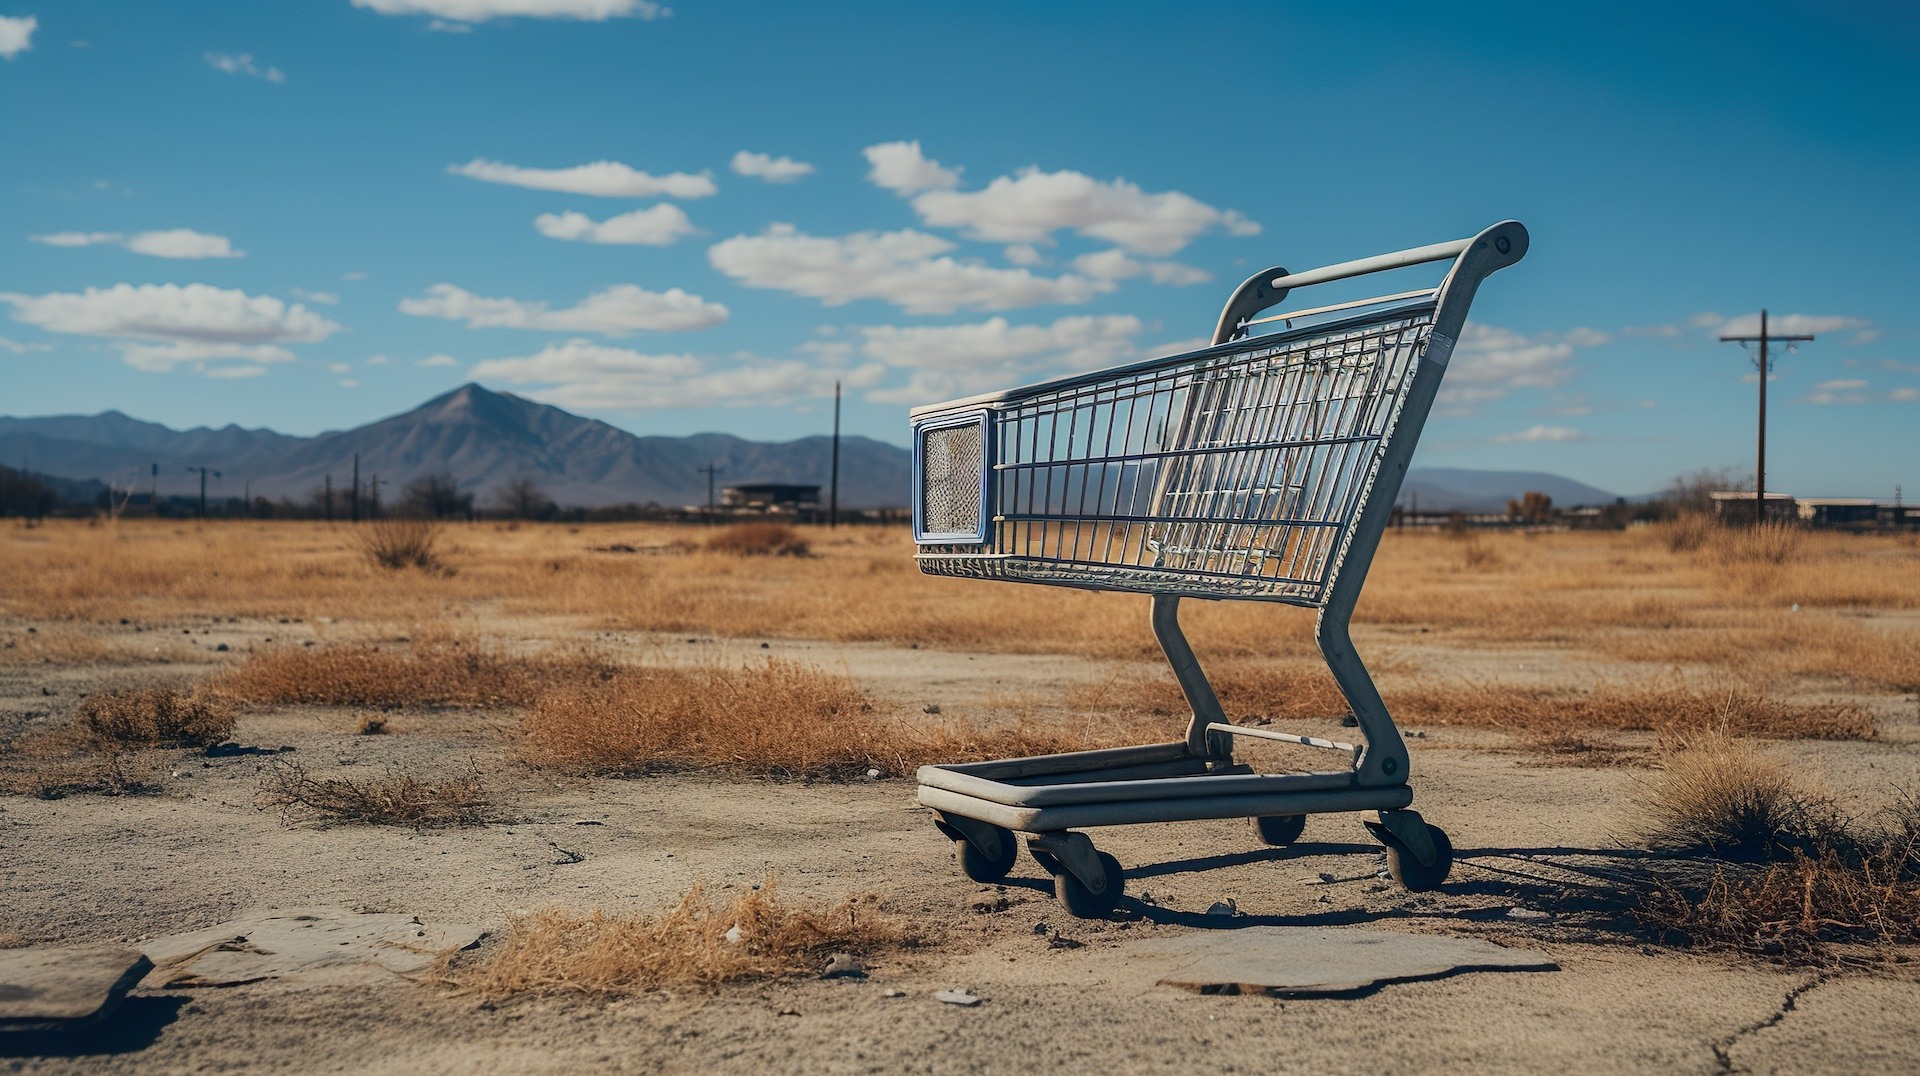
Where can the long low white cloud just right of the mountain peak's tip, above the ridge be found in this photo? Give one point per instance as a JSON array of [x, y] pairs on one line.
[[587, 376]]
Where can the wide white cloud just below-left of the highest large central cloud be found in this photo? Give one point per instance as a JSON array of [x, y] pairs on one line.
[[903, 268]]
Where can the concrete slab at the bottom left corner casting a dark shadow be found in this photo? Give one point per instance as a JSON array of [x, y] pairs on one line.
[[62, 989]]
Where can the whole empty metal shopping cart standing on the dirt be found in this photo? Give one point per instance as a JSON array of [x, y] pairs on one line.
[[1262, 468]]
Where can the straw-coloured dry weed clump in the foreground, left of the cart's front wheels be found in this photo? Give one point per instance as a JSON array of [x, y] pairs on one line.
[[696, 944]]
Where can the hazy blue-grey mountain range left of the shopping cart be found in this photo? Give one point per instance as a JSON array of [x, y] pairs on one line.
[[483, 439]]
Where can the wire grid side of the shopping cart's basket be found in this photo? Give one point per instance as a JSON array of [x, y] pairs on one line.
[[1222, 476]]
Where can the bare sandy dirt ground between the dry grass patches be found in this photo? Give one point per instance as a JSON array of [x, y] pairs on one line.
[[128, 869]]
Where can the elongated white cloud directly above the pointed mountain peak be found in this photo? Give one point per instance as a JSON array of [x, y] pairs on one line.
[[617, 310]]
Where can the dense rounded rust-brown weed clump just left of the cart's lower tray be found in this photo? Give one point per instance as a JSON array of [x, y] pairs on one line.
[[769, 720]]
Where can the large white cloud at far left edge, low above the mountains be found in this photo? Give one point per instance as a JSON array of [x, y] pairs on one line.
[[166, 326]]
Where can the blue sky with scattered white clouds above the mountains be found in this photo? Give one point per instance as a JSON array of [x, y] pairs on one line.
[[696, 218]]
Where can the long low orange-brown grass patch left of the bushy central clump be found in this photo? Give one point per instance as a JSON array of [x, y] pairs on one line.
[[441, 672]]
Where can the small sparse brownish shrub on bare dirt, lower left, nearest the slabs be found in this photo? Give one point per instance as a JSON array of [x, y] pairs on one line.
[[396, 798]]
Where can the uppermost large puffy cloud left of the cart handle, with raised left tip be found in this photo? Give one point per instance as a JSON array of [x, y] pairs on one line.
[[1034, 205]]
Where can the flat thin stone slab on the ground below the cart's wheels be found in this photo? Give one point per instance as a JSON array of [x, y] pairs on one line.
[[1320, 962]]
